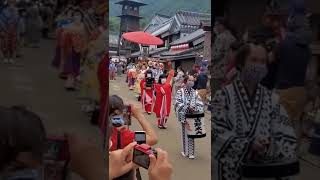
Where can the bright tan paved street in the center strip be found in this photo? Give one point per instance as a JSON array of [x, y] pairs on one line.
[[169, 140]]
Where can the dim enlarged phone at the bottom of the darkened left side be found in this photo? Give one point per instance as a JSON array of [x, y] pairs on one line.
[[56, 159]]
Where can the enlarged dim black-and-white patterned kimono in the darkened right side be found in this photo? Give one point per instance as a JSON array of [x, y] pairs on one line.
[[238, 121]]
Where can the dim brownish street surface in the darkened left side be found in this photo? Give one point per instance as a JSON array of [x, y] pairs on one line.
[[34, 83]]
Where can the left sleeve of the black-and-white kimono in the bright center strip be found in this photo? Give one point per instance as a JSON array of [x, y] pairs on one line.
[[180, 106]]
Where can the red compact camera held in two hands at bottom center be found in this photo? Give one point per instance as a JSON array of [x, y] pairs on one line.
[[141, 155]]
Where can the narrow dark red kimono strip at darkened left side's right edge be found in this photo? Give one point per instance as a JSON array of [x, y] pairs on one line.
[[103, 77]]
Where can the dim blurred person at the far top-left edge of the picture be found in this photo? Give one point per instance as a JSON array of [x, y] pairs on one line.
[[9, 22]]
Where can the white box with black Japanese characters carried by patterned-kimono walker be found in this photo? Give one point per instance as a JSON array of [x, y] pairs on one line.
[[197, 125]]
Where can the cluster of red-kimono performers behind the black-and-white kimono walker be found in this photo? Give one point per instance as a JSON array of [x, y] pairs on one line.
[[153, 87]]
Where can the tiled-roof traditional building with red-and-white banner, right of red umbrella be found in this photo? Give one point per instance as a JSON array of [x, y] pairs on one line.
[[184, 36]]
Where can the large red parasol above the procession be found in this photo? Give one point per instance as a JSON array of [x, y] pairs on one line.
[[142, 38]]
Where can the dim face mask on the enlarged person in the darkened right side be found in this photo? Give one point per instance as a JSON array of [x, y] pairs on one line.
[[254, 73]]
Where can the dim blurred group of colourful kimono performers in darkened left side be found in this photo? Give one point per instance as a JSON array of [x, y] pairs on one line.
[[81, 44]]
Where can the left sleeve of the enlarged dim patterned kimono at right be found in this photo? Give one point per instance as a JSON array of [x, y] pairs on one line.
[[228, 148]]
